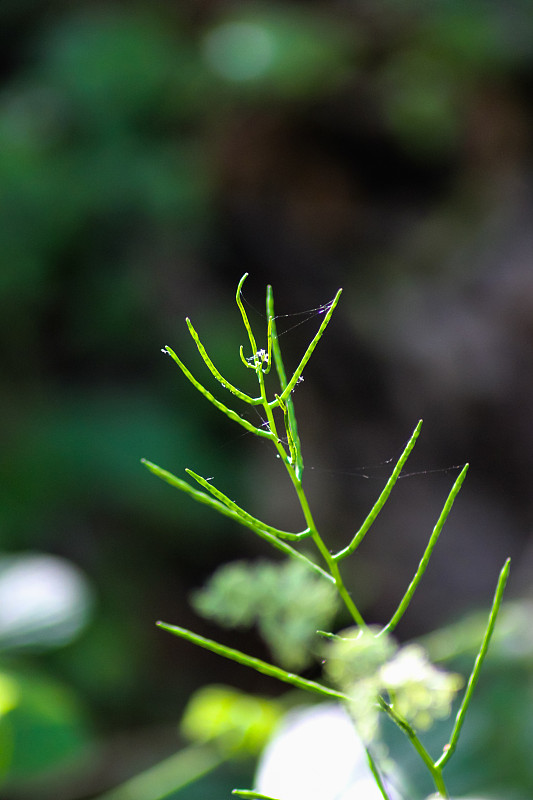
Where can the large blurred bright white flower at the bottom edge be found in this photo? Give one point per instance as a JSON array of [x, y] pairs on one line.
[[316, 754]]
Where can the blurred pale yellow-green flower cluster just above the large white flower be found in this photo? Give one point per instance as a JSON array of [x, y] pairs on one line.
[[366, 665]]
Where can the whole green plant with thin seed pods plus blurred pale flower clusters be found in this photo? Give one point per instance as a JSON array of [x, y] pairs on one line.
[[364, 667]]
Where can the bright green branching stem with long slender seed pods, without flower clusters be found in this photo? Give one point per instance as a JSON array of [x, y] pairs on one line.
[[288, 449]]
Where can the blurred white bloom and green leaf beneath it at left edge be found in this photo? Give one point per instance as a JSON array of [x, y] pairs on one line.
[[45, 602]]
